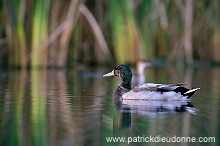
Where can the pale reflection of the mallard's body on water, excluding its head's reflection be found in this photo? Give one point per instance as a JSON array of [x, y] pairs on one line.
[[154, 107]]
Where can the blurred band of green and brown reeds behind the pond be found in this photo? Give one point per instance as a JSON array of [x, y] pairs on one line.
[[54, 33]]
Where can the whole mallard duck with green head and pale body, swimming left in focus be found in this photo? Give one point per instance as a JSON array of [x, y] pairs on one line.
[[148, 91]]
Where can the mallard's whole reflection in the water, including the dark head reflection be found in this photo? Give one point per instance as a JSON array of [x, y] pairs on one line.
[[150, 109]]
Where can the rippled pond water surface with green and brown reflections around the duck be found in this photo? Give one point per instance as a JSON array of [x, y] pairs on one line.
[[74, 107]]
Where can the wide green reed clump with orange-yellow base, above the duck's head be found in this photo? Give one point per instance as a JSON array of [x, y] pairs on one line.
[[125, 36]]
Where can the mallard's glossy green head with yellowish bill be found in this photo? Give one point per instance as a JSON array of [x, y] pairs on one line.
[[124, 72]]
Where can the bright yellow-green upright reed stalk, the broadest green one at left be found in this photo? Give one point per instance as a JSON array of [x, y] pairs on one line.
[[39, 31]]
